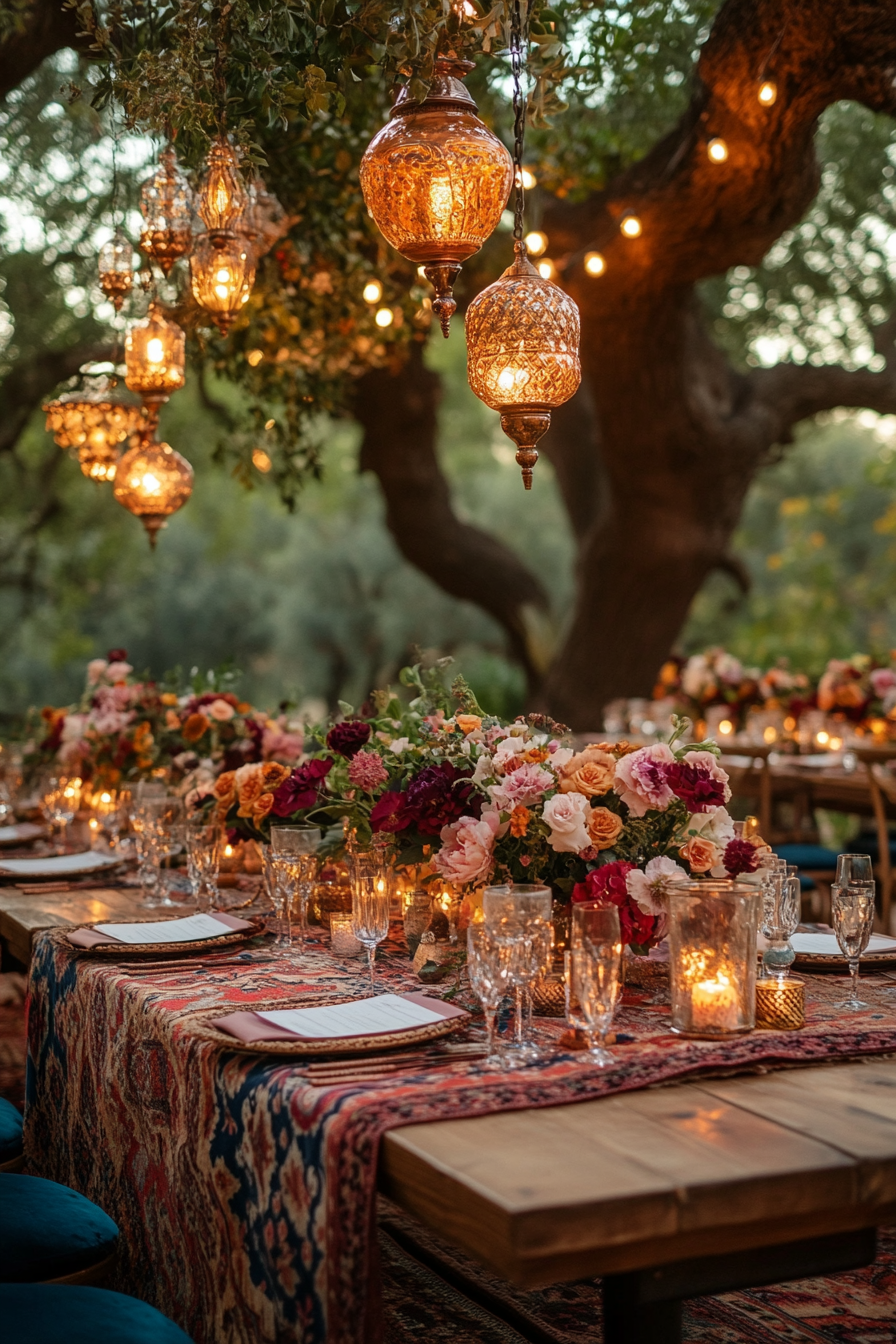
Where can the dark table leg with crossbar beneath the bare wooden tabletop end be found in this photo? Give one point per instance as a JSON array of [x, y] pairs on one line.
[[644, 1307]]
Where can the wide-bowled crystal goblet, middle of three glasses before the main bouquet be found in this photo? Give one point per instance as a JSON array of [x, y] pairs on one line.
[[519, 919]]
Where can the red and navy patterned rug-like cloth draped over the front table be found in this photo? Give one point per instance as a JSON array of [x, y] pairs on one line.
[[247, 1195]]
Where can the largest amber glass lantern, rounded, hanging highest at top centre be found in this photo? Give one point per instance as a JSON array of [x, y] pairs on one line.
[[437, 181]]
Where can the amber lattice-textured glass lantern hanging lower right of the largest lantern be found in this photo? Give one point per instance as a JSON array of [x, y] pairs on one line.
[[523, 354]]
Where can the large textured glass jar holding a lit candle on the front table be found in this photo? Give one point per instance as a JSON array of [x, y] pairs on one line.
[[713, 946]]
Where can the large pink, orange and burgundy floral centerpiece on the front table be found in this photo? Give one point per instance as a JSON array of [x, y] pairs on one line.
[[479, 800]]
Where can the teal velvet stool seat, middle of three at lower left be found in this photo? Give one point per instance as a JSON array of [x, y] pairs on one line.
[[49, 1232]]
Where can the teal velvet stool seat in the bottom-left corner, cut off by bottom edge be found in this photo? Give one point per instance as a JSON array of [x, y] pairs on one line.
[[56, 1314]]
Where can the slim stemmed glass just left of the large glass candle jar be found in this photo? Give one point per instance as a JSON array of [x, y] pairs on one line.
[[597, 958]]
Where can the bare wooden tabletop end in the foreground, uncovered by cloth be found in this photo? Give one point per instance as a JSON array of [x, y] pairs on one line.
[[654, 1177]]
